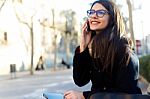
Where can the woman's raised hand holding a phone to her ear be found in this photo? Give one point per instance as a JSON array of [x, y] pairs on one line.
[[85, 37]]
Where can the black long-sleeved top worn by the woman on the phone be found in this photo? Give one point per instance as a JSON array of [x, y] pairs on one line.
[[124, 80]]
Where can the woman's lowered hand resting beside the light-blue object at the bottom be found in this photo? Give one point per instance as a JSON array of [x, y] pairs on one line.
[[73, 95]]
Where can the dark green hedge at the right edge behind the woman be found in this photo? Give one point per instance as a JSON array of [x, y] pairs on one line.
[[145, 67]]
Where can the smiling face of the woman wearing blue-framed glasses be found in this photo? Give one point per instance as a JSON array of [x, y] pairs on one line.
[[96, 22]]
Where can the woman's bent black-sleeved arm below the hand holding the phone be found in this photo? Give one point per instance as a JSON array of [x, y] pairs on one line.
[[81, 67]]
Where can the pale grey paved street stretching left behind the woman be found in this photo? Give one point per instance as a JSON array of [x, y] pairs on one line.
[[26, 86]]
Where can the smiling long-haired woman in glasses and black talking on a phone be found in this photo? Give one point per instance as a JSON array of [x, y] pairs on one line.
[[104, 56]]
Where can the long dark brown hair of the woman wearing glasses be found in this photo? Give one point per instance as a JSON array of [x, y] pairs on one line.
[[112, 43]]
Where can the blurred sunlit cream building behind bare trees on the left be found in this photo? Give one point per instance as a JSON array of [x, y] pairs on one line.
[[18, 18]]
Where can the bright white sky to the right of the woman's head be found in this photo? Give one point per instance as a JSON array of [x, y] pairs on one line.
[[140, 16]]
